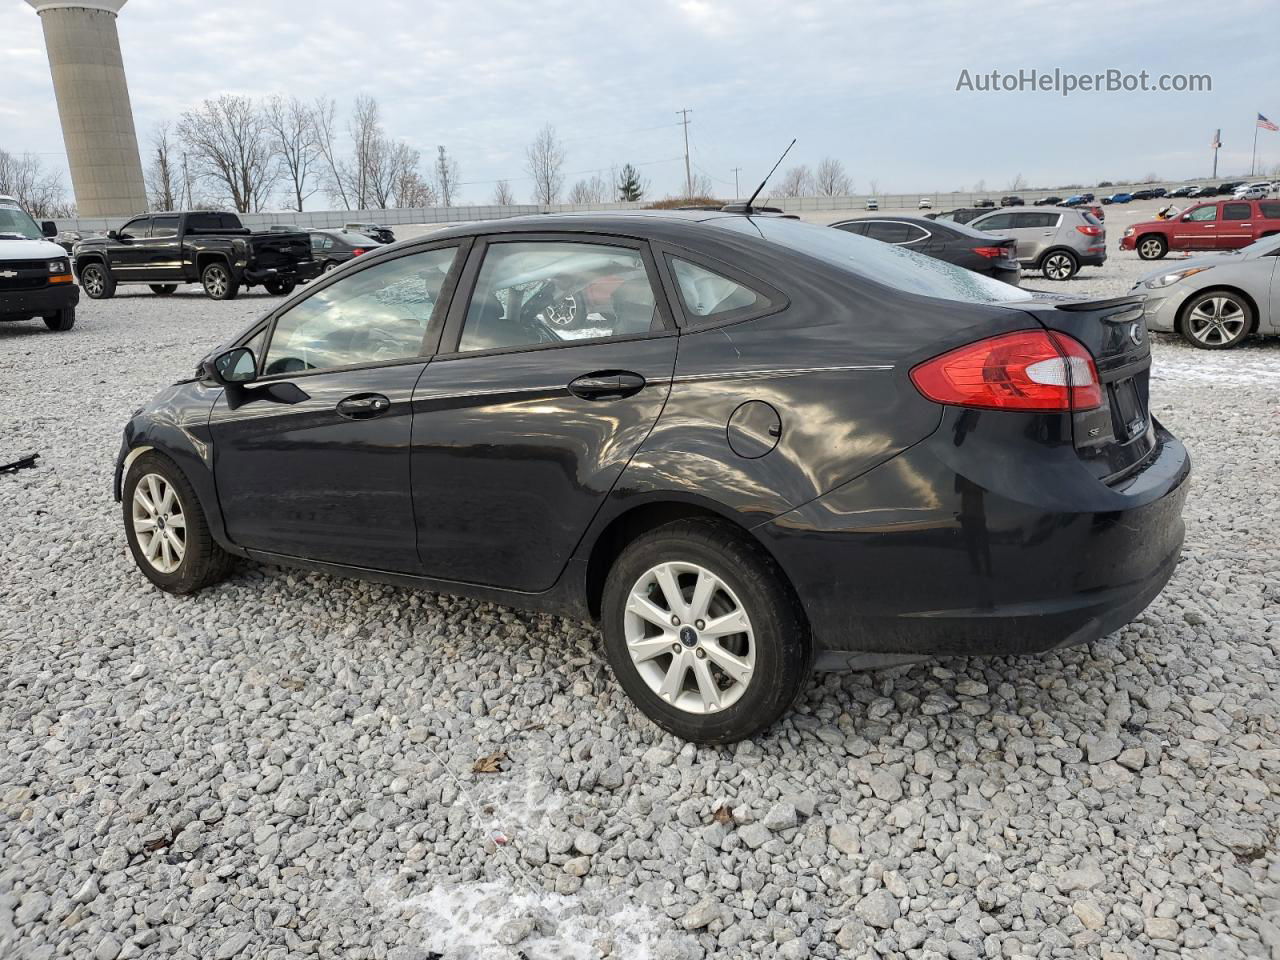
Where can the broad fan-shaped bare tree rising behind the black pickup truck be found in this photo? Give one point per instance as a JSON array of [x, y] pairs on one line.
[[231, 144]]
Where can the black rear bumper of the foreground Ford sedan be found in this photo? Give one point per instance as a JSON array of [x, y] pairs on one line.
[[984, 554]]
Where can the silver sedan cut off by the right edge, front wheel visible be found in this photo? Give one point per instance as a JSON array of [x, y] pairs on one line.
[[1218, 300]]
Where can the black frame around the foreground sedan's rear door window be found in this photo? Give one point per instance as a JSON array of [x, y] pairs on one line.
[[467, 289]]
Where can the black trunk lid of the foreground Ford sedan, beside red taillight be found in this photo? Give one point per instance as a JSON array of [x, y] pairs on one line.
[[1118, 438]]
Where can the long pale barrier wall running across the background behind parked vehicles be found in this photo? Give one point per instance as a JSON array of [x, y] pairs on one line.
[[810, 208]]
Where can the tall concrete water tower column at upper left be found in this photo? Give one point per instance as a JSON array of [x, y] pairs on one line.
[[94, 106]]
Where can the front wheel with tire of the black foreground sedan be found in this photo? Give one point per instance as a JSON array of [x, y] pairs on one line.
[[184, 563]]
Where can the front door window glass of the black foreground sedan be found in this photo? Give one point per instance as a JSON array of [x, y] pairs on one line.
[[371, 317]]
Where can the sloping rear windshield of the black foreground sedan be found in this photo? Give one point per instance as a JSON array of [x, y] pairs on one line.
[[880, 263]]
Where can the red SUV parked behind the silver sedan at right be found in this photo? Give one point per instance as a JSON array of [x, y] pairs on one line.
[[1224, 225]]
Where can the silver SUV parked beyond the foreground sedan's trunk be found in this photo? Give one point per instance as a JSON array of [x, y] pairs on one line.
[[1057, 243]]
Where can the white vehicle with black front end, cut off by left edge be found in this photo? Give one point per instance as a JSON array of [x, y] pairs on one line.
[[35, 273]]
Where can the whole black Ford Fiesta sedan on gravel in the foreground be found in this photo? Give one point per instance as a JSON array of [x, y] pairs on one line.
[[748, 447]]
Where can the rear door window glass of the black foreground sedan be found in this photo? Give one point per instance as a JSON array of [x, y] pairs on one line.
[[552, 292]]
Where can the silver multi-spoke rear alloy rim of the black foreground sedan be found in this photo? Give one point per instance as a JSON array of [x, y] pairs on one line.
[[691, 638]]
